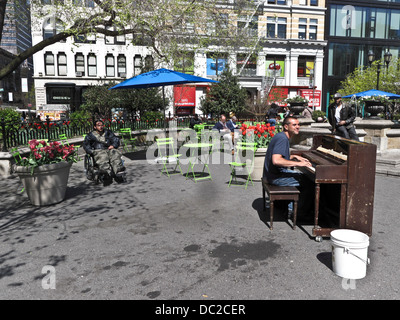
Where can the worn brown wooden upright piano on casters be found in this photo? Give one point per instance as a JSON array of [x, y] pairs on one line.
[[344, 174]]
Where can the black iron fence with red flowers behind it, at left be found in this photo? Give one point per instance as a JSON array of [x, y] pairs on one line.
[[19, 133]]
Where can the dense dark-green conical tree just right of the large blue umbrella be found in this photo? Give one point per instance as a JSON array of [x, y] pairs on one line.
[[226, 96]]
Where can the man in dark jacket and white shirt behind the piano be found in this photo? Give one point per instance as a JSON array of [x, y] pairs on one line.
[[341, 118]]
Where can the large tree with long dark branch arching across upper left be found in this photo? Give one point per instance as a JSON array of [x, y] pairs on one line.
[[167, 27]]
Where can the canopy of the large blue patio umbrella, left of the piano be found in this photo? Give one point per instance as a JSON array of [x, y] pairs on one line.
[[159, 78]]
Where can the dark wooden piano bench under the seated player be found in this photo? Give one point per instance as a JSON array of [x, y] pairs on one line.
[[277, 193]]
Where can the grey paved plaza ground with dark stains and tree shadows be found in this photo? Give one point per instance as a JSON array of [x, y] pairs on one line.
[[155, 237]]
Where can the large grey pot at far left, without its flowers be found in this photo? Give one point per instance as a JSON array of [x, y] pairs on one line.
[[48, 183]]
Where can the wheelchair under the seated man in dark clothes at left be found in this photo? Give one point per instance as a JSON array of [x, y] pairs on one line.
[[93, 172]]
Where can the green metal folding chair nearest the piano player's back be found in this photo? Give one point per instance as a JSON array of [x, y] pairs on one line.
[[244, 162]]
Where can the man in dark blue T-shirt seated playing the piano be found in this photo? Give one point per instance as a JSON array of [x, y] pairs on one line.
[[278, 165]]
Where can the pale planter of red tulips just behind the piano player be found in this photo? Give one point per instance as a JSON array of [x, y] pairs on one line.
[[261, 134]]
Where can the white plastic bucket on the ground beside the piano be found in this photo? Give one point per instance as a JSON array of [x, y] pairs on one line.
[[349, 253]]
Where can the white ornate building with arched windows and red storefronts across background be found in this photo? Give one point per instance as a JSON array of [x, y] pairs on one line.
[[290, 33]]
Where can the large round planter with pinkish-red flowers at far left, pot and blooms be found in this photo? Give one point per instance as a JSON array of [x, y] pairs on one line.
[[44, 173]]
